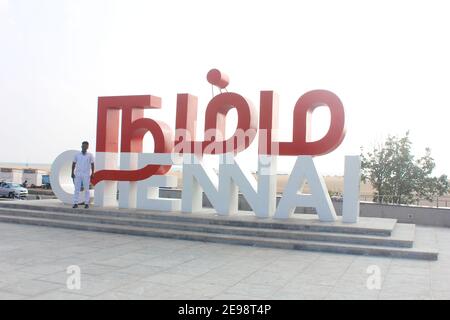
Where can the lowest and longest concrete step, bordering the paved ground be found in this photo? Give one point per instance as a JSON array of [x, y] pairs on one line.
[[412, 253]]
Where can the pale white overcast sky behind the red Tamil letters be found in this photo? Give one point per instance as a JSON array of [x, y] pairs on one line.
[[388, 61]]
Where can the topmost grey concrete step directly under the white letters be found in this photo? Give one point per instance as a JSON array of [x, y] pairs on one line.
[[300, 222]]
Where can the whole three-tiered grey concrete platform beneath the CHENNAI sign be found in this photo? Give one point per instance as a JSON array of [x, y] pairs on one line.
[[370, 236]]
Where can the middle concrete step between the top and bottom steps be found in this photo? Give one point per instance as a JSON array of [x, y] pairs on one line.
[[402, 236]]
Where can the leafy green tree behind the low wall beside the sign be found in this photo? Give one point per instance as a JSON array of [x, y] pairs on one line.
[[397, 176]]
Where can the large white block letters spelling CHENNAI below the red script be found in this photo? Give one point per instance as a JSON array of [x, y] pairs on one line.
[[222, 188]]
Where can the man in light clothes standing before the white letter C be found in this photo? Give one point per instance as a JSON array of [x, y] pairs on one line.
[[82, 171]]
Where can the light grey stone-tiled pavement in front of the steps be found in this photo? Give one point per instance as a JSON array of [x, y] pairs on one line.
[[34, 262]]
